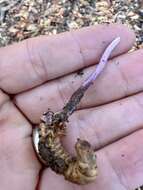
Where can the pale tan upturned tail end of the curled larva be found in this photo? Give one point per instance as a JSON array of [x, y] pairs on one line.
[[83, 169]]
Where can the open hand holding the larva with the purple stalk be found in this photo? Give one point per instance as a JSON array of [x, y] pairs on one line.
[[40, 73]]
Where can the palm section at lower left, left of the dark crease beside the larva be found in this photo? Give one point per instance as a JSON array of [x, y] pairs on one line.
[[18, 163]]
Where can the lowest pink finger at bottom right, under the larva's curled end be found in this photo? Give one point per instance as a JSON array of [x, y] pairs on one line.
[[120, 166]]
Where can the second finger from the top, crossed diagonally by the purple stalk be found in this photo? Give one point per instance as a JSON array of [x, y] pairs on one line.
[[122, 77]]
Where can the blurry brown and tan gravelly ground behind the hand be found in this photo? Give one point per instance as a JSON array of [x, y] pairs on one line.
[[21, 19]]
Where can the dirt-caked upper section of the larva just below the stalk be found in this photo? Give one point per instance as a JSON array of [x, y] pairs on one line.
[[51, 149]]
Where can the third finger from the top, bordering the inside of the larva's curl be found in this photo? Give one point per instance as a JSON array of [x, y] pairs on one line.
[[105, 124]]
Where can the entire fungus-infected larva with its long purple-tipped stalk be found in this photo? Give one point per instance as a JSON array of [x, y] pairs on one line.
[[81, 169]]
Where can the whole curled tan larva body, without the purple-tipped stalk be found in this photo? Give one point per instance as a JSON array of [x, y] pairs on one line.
[[80, 169]]
